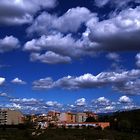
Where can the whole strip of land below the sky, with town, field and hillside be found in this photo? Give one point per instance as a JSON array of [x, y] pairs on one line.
[[55, 125]]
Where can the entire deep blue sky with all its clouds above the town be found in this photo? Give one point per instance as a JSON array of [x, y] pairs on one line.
[[69, 55]]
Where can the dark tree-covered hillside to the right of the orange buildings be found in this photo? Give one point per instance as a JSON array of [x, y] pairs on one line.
[[128, 121]]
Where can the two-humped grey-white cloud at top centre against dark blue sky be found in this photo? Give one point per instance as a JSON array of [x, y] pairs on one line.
[[71, 21]]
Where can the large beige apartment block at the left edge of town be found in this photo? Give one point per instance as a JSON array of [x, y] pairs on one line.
[[10, 117]]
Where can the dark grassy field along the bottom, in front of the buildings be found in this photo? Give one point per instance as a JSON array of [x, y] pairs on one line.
[[68, 134]]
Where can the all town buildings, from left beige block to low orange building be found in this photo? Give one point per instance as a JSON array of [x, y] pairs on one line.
[[53, 119]]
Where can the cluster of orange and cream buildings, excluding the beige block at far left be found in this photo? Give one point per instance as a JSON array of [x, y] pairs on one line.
[[69, 120]]
